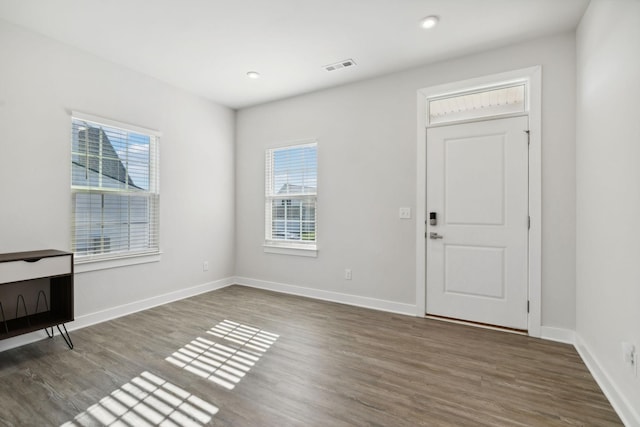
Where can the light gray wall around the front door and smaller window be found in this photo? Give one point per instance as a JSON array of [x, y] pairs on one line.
[[367, 169]]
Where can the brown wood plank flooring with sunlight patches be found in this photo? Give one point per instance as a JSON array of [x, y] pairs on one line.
[[282, 360]]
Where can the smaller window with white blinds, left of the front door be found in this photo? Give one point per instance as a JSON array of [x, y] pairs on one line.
[[291, 179]]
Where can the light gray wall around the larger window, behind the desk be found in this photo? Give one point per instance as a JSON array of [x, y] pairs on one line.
[[41, 81]]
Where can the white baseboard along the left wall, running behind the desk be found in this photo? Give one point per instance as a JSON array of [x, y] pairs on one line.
[[119, 311]]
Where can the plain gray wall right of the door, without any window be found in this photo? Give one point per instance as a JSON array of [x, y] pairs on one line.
[[608, 195]]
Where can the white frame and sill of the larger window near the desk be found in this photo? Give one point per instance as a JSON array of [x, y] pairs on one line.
[[89, 262]]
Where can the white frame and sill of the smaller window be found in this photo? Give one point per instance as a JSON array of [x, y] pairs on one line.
[[289, 246]]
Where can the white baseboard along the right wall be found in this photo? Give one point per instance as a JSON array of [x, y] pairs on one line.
[[625, 410]]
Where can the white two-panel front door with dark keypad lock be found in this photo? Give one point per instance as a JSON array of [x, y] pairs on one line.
[[477, 253]]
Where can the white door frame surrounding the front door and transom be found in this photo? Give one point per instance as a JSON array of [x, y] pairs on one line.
[[533, 77]]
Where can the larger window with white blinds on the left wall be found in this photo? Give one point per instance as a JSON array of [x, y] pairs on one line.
[[115, 189]]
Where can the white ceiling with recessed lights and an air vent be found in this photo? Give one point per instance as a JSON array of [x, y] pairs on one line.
[[207, 46]]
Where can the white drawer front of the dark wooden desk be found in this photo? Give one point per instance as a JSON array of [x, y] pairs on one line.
[[14, 271]]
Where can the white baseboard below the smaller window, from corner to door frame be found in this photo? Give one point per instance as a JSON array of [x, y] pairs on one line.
[[359, 301]]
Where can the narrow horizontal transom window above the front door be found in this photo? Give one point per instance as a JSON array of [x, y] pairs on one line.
[[479, 104]]
